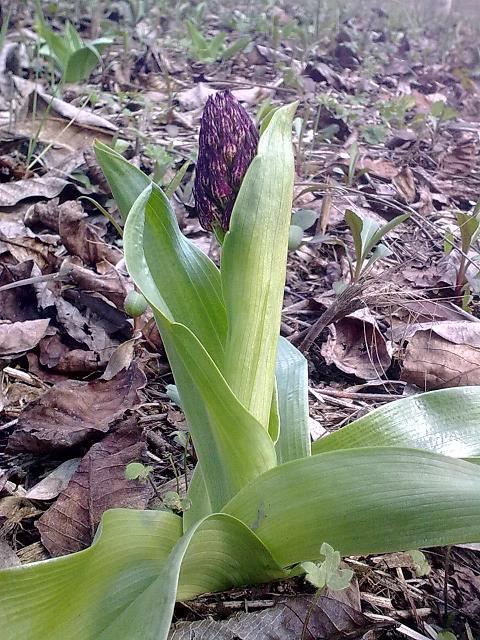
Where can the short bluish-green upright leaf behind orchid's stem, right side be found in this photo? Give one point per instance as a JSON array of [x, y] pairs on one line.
[[292, 391]]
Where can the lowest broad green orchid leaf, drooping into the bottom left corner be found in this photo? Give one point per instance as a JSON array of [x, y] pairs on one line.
[[125, 584]]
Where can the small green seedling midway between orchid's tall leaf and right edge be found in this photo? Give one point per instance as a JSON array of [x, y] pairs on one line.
[[367, 234]]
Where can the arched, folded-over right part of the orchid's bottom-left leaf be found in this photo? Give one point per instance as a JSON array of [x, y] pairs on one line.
[[217, 553]]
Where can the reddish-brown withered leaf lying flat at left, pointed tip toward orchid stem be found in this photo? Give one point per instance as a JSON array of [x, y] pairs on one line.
[[75, 413]]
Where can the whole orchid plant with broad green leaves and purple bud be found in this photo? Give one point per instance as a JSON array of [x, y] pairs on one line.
[[263, 499]]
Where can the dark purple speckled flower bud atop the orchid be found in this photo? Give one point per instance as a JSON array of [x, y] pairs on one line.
[[227, 145]]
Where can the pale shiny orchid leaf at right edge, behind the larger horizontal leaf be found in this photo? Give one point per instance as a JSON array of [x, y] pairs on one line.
[[445, 421]]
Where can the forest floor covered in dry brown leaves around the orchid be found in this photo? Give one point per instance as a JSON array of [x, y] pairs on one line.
[[388, 123]]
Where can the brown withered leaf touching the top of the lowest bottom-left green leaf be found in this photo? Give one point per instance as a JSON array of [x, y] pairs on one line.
[[98, 484]]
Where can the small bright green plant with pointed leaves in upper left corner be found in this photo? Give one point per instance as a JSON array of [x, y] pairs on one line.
[[74, 58]]
